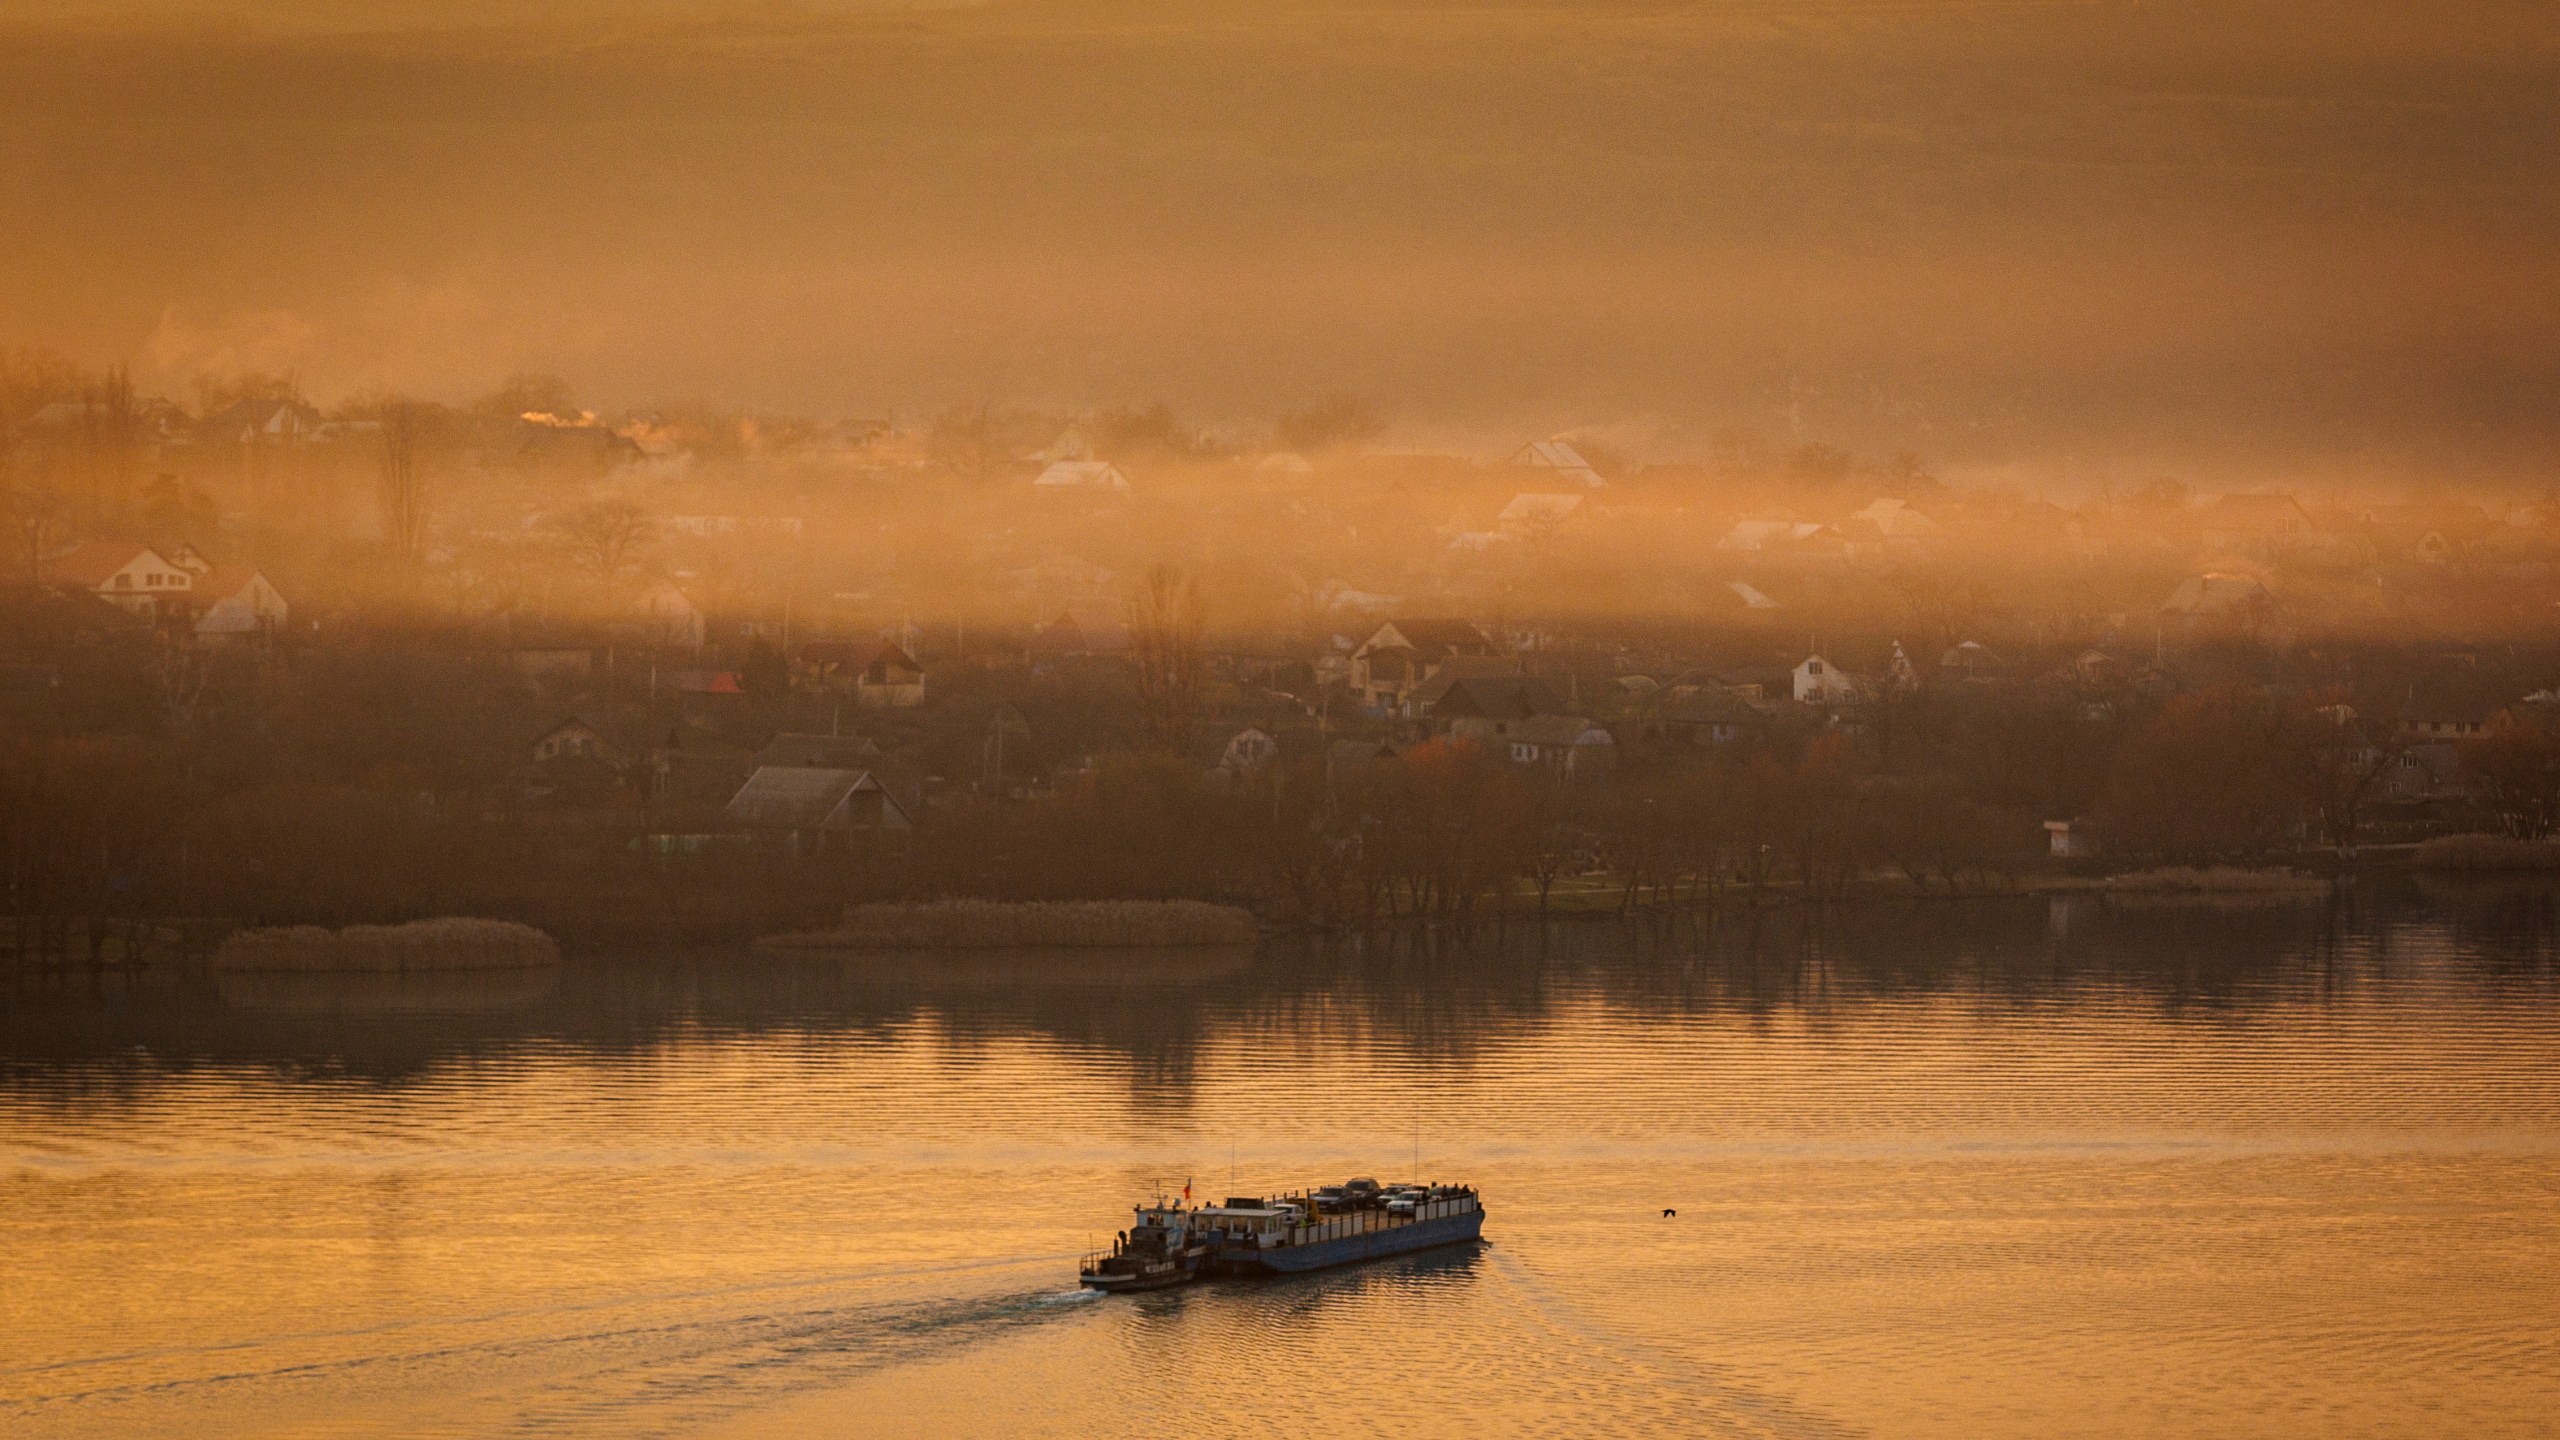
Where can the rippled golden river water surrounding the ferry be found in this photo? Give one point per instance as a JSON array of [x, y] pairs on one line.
[[2019, 1167]]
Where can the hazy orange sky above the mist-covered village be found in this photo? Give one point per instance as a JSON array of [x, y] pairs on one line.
[[2290, 240]]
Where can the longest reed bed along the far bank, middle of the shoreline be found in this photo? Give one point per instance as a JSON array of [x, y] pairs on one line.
[[1012, 926]]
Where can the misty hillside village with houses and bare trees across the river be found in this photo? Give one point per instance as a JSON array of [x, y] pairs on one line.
[[687, 670]]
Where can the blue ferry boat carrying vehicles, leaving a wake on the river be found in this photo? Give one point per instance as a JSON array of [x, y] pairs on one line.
[[1302, 1231]]
